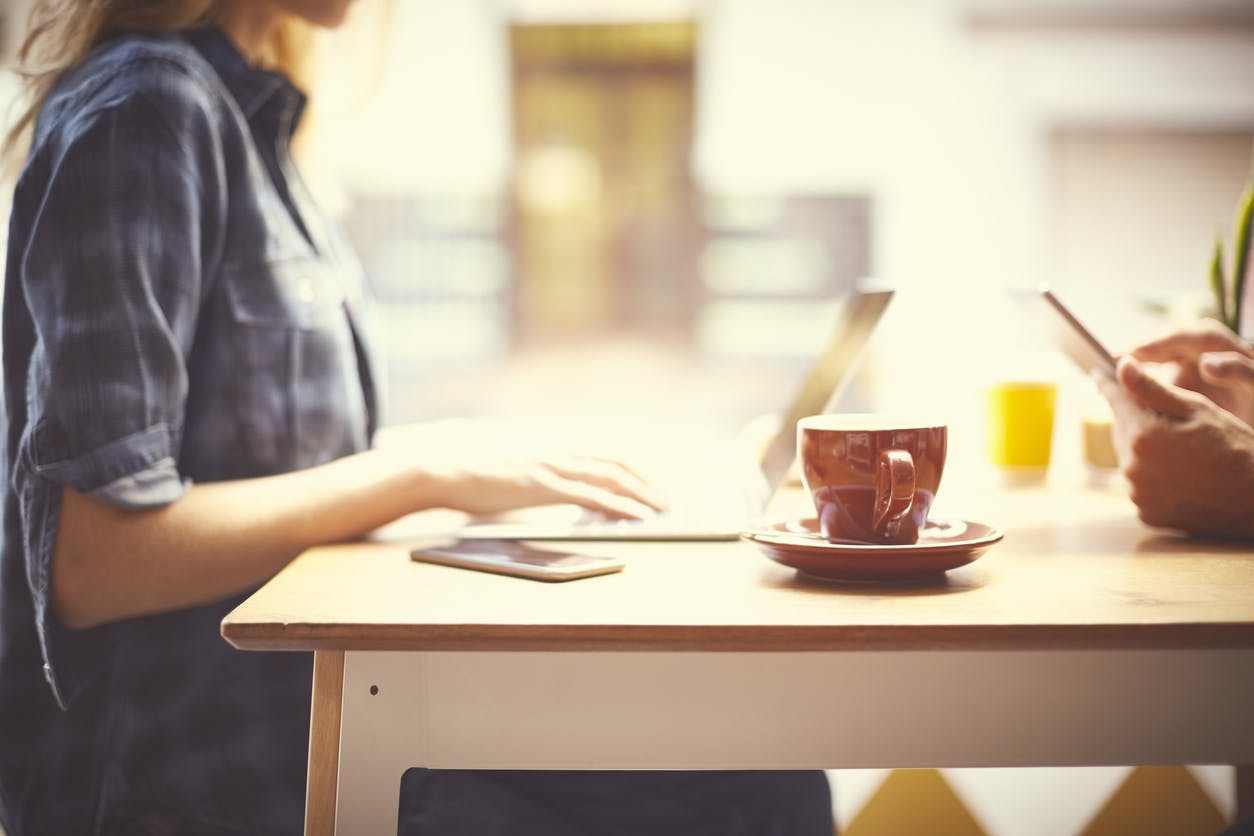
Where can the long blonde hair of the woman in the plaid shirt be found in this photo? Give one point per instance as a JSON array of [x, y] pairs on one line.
[[61, 33]]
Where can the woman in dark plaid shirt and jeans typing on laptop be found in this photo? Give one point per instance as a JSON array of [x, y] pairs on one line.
[[191, 402]]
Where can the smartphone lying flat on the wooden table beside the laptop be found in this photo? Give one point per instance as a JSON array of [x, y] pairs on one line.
[[521, 560]]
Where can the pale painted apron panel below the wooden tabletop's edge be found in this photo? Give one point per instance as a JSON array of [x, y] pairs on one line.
[[778, 710]]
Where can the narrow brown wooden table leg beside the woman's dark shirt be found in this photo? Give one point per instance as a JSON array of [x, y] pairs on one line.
[[324, 770]]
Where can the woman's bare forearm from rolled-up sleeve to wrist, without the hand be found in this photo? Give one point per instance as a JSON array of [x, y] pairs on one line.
[[221, 538]]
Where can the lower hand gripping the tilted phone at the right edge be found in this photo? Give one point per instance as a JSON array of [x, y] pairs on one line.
[[1189, 463]]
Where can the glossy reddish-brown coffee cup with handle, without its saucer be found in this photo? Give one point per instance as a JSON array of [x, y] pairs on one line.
[[872, 478]]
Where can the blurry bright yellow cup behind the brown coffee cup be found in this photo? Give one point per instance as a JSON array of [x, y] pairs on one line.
[[1021, 426]]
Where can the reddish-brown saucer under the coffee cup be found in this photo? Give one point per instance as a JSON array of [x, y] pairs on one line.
[[944, 546]]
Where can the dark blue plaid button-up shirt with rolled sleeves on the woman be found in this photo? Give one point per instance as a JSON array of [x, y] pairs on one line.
[[176, 310]]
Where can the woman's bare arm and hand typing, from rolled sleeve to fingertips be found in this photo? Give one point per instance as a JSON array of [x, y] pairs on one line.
[[225, 538]]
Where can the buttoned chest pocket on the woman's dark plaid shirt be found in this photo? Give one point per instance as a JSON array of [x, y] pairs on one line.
[[292, 379]]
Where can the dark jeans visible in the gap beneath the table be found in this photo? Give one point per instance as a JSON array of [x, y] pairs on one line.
[[437, 803]]
